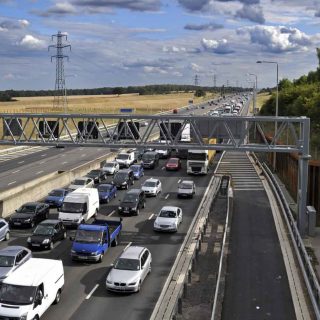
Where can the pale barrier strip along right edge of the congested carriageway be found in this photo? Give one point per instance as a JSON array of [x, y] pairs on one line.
[[170, 300]]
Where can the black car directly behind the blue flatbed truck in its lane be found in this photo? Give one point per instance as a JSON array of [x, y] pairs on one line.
[[132, 202]]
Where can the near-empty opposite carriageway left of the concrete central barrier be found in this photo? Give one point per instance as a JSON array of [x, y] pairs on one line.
[[40, 166]]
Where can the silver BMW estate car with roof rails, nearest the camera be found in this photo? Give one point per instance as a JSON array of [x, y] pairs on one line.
[[129, 270]]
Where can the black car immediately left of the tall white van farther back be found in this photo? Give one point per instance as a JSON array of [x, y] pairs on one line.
[[29, 214]]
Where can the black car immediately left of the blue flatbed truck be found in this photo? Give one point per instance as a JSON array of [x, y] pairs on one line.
[[46, 234]]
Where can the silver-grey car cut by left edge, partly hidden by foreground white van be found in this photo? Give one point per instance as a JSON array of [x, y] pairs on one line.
[[11, 258]]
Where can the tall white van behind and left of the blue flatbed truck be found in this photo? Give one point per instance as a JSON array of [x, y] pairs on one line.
[[79, 206]]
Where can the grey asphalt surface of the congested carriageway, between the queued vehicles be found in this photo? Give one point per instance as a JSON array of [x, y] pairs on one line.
[[82, 278]]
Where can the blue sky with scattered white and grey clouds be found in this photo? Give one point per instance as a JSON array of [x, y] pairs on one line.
[[140, 42]]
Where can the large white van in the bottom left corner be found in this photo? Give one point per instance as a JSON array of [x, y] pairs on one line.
[[31, 289]]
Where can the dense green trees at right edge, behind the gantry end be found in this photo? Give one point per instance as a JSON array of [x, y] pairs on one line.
[[300, 97]]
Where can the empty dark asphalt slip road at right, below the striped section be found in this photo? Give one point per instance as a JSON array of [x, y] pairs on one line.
[[255, 262]]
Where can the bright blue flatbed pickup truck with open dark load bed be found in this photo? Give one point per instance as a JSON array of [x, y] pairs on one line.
[[93, 240]]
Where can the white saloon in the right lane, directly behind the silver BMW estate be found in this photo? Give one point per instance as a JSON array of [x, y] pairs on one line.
[[168, 219]]
